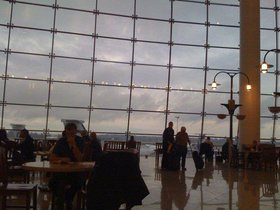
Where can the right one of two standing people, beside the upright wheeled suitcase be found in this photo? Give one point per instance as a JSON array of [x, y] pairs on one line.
[[181, 142]]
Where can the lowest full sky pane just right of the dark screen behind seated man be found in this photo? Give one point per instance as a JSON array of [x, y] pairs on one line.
[[109, 121]]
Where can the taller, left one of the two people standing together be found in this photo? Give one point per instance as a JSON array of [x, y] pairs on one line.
[[167, 138]]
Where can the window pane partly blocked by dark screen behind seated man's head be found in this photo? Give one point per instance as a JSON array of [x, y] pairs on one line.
[[57, 114]]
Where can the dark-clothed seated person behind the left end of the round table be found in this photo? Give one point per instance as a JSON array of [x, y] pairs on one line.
[[25, 148]]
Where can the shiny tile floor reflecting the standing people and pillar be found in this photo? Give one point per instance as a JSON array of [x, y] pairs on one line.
[[216, 187]]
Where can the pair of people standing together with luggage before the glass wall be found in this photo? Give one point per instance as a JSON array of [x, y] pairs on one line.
[[177, 145]]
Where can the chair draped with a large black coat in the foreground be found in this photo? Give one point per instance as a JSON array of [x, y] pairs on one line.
[[116, 178]]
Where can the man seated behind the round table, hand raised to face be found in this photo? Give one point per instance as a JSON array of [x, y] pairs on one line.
[[65, 185]]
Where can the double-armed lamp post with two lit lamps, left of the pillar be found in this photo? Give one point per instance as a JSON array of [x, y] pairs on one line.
[[231, 106]]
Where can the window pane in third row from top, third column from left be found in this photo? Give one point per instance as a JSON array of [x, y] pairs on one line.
[[73, 45]]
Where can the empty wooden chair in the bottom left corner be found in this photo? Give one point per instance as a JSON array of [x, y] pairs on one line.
[[7, 189]]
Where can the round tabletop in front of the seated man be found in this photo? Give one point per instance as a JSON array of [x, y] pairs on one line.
[[46, 166]]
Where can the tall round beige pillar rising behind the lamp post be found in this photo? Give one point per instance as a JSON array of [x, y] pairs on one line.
[[249, 128]]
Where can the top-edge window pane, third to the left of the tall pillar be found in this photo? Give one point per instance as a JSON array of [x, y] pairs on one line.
[[150, 8]]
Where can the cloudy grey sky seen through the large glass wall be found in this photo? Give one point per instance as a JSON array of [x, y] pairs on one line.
[[71, 71]]
